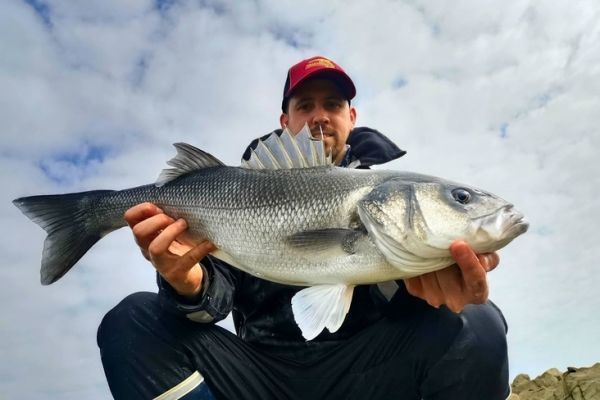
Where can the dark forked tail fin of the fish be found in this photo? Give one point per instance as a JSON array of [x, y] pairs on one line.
[[71, 226]]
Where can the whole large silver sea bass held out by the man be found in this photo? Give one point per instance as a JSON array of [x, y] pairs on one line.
[[289, 216]]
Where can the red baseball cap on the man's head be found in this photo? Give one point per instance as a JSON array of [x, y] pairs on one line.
[[317, 66]]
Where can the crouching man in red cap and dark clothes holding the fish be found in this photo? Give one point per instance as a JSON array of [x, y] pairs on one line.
[[429, 337]]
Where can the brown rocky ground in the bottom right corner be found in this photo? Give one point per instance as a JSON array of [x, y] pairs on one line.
[[573, 384]]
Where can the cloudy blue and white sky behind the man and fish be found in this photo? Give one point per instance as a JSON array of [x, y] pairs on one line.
[[500, 95]]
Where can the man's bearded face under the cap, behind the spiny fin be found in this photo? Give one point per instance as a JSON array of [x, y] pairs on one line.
[[320, 104]]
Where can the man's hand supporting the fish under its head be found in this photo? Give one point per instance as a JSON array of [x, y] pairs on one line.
[[459, 284]]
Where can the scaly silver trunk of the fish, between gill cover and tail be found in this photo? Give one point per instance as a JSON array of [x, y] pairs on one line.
[[298, 227]]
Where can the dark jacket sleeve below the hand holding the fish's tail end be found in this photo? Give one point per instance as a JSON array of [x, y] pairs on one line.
[[214, 302]]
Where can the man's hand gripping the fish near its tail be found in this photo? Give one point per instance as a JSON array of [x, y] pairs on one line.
[[159, 238]]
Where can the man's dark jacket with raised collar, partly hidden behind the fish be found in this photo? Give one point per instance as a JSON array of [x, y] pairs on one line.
[[262, 309]]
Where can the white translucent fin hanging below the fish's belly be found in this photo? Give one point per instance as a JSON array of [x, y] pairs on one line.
[[318, 307]]
